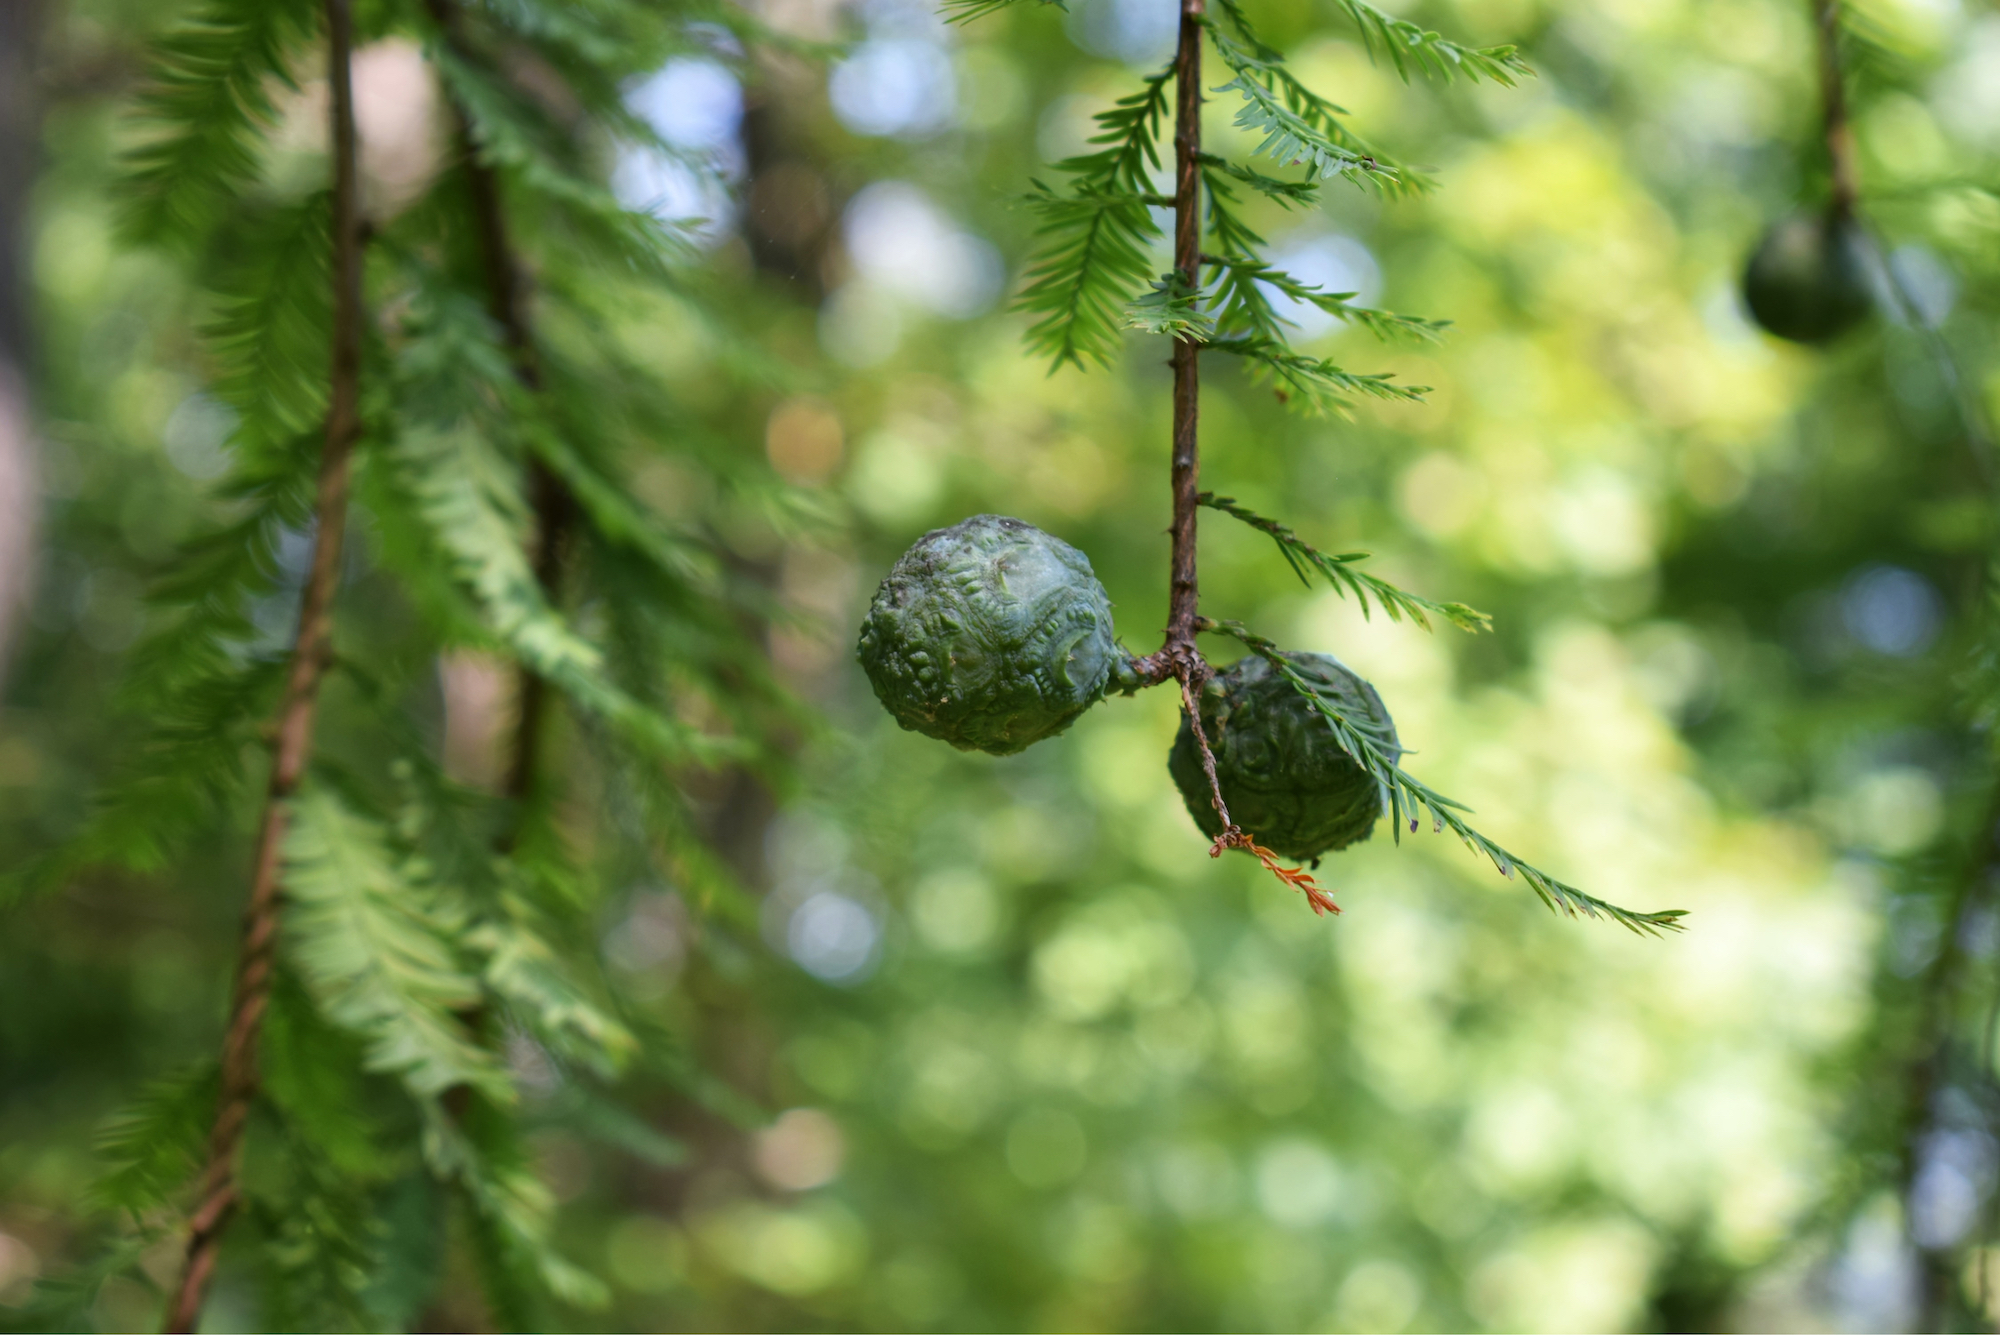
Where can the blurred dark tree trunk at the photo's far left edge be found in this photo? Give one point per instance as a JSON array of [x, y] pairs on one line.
[[21, 25]]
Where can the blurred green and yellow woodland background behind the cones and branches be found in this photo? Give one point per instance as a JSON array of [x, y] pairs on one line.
[[1005, 1046]]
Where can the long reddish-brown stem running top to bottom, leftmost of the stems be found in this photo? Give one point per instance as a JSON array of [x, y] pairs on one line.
[[293, 748]]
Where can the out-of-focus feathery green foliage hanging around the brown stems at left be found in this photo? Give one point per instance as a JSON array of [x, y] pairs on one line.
[[429, 926]]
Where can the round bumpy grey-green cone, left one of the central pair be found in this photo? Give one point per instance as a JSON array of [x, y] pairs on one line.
[[989, 635]]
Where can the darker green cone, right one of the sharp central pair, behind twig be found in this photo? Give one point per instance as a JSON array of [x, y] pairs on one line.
[[1285, 778]]
